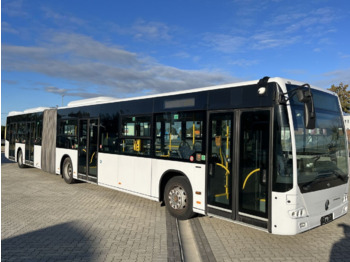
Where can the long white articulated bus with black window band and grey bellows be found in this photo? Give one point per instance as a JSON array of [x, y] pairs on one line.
[[271, 154]]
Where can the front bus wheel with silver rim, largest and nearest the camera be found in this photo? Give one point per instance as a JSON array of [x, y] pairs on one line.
[[178, 198]]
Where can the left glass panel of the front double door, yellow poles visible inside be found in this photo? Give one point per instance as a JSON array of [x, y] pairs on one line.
[[220, 162]]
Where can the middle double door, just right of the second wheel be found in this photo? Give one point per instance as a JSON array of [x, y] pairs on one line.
[[88, 149]]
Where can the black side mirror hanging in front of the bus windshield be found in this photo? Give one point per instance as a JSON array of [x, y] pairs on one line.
[[305, 96]]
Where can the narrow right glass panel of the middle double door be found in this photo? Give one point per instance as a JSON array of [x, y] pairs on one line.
[[92, 157]]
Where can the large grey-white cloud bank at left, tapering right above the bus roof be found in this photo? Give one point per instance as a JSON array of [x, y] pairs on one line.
[[85, 60]]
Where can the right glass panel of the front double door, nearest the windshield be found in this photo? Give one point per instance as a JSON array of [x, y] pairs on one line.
[[254, 164]]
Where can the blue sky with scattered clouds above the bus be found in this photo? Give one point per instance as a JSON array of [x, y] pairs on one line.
[[81, 49]]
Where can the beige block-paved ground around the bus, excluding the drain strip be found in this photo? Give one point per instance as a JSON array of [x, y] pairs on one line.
[[44, 219]]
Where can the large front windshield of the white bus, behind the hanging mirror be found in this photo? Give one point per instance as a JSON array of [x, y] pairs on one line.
[[322, 160]]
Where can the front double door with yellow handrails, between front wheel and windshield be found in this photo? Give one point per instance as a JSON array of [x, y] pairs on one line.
[[239, 160]]
